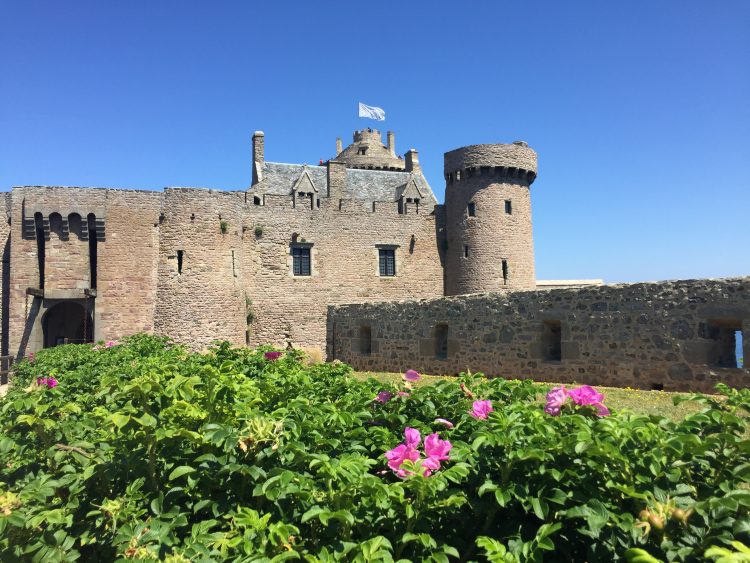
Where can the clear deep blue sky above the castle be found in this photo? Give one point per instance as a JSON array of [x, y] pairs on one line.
[[640, 111]]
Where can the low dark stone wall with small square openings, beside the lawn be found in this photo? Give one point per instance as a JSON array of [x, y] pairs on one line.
[[678, 335]]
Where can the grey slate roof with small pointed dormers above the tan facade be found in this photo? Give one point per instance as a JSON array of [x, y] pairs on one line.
[[366, 185]]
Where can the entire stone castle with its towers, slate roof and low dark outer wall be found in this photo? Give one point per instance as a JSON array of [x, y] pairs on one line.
[[329, 255]]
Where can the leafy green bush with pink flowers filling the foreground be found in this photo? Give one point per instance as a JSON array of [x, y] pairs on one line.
[[148, 452]]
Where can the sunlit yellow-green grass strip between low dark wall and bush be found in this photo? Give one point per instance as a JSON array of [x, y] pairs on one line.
[[635, 400]]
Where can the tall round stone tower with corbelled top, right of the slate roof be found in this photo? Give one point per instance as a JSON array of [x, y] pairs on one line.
[[488, 218]]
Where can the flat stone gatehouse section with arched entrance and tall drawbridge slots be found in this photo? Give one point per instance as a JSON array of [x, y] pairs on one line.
[[126, 258]]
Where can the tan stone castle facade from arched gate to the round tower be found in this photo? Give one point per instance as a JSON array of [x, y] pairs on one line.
[[226, 269]]
